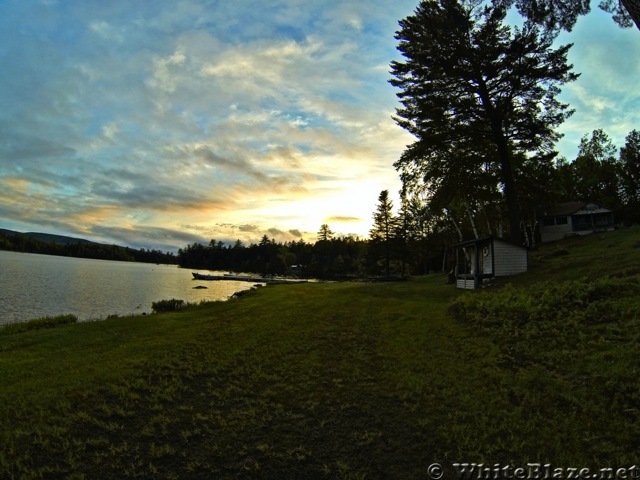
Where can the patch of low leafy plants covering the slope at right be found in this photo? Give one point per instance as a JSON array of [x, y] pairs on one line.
[[573, 329]]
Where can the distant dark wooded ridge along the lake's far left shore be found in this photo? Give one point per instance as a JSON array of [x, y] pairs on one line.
[[83, 249]]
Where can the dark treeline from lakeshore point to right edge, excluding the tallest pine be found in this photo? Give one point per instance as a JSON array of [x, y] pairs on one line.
[[417, 239]]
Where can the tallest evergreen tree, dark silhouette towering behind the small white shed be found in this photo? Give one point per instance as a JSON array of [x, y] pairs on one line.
[[474, 93]]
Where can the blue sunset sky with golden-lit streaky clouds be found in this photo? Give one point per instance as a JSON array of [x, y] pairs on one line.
[[158, 124]]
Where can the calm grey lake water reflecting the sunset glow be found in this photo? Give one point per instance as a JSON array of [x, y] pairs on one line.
[[33, 286]]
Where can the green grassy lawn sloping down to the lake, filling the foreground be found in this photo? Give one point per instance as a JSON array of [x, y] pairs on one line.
[[340, 380]]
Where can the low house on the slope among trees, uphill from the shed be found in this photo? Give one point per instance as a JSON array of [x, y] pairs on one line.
[[574, 218]]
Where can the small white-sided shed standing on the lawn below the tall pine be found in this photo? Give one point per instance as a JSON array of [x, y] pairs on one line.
[[482, 259]]
